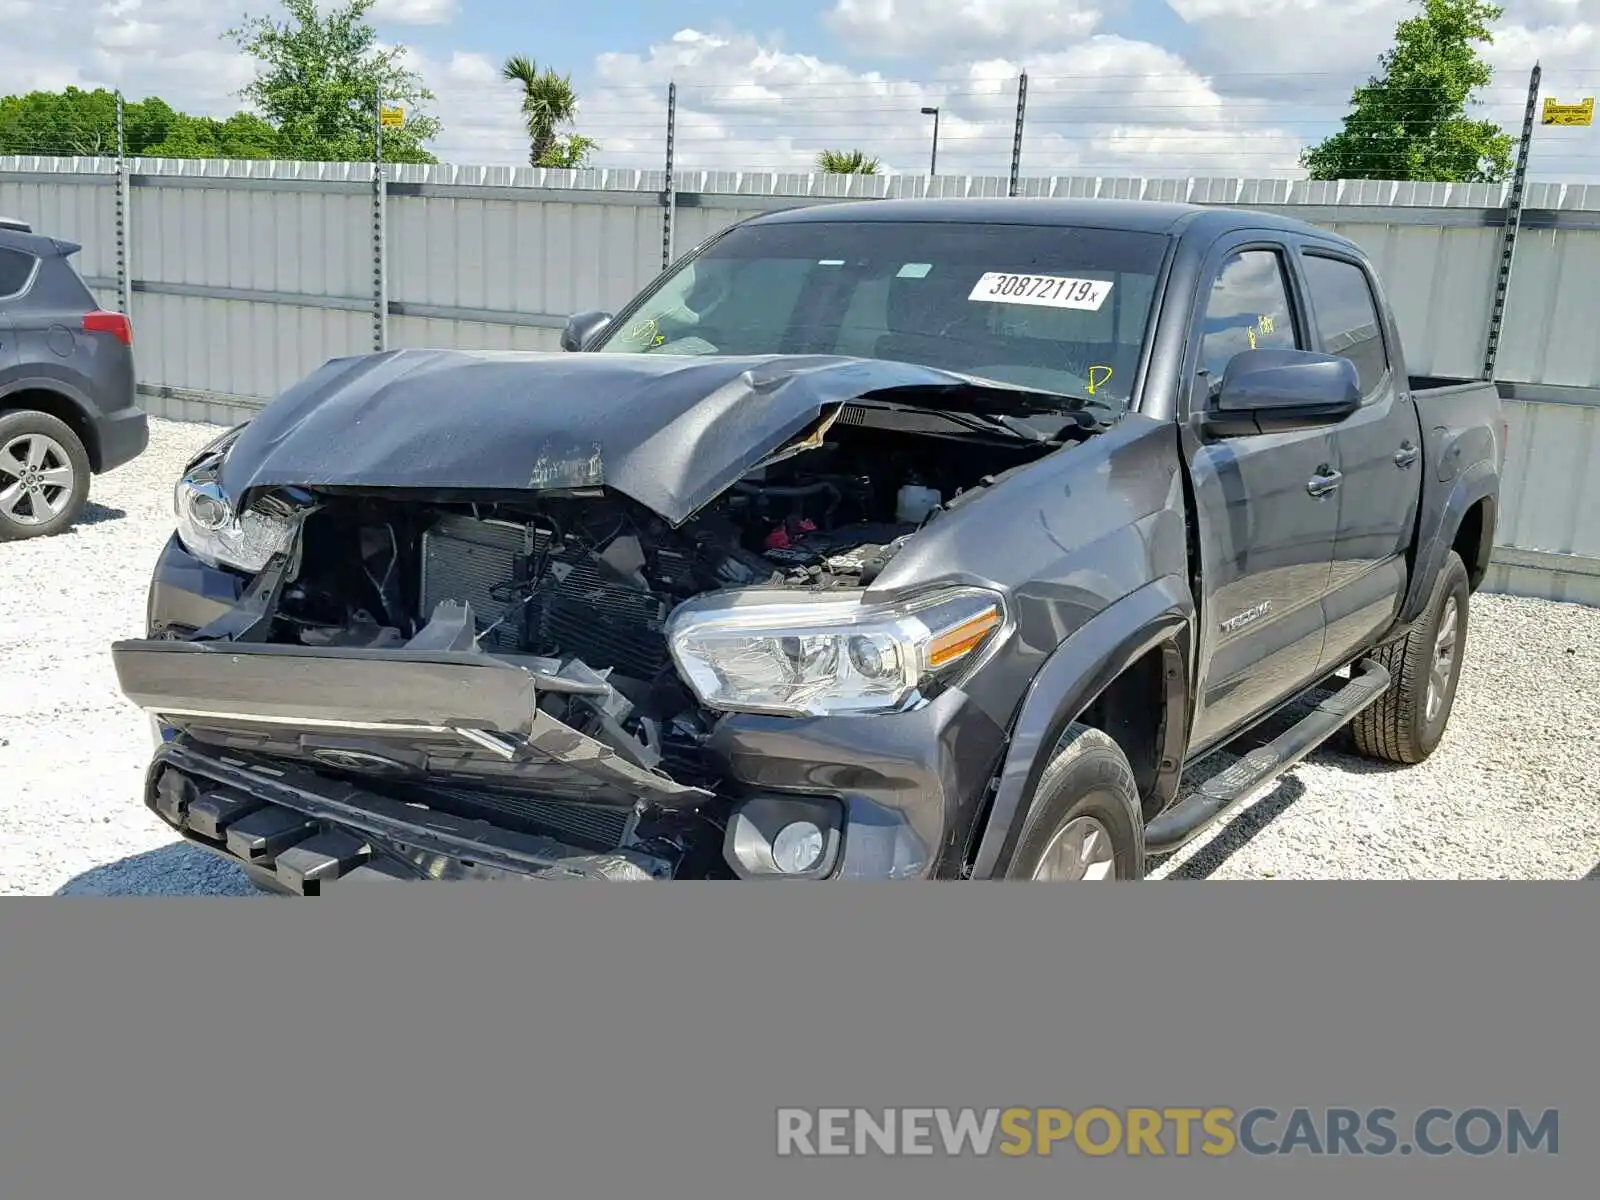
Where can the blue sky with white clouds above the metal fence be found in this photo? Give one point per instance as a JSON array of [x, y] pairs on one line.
[[1116, 87]]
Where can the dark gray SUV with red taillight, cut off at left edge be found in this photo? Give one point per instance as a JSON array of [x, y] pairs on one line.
[[66, 386]]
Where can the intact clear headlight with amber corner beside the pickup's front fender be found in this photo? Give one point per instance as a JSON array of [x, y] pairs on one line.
[[820, 654]]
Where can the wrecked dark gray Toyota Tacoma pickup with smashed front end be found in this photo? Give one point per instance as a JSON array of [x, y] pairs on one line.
[[887, 540]]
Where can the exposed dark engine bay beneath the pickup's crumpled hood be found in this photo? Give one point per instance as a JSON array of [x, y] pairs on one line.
[[593, 575]]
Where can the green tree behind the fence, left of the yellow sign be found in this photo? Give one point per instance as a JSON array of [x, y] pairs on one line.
[[1412, 121]]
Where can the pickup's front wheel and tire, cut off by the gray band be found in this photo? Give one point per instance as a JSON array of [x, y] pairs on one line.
[[1086, 820]]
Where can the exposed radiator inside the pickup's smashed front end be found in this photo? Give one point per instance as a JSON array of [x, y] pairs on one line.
[[580, 612]]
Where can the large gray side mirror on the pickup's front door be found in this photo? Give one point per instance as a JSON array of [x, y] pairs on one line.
[[1282, 391]]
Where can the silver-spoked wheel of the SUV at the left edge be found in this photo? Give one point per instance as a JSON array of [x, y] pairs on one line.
[[44, 476]]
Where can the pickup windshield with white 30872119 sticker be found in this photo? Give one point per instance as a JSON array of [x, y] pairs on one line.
[[1060, 310]]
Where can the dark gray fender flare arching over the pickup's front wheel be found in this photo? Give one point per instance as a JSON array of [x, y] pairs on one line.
[[1071, 681]]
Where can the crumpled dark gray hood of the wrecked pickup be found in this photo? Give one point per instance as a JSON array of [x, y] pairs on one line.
[[671, 433]]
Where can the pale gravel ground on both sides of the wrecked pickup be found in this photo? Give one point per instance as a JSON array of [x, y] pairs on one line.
[[1510, 794]]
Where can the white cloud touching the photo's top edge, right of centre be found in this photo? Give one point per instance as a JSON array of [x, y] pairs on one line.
[[961, 26]]
